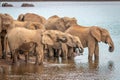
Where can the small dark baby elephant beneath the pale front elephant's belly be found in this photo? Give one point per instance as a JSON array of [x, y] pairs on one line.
[[26, 49]]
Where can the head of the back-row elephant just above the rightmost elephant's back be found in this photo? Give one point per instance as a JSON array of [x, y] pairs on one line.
[[64, 23]]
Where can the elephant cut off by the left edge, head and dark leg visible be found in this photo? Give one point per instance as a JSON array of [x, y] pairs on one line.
[[6, 22]]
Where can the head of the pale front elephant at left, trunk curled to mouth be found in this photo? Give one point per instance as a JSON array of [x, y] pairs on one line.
[[50, 37]]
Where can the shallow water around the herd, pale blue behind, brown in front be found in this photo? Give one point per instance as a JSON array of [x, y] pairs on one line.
[[104, 14]]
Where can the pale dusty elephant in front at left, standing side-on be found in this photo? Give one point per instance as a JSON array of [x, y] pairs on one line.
[[17, 37]]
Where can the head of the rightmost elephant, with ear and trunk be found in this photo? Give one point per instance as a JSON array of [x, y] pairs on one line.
[[103, 35]]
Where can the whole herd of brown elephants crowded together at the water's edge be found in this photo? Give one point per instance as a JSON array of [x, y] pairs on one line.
[[52, 37]]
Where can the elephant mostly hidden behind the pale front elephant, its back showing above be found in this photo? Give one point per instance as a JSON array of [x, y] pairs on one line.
[[15, 23]]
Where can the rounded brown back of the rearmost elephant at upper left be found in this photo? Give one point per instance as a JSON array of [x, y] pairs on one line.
[[31, 17]]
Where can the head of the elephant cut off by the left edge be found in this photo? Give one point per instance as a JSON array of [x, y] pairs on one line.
[[5, 21]]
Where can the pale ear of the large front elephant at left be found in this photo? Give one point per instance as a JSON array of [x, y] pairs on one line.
[[47, 40]]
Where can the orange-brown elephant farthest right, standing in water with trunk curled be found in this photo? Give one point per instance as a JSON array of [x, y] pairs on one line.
[[90, 36]]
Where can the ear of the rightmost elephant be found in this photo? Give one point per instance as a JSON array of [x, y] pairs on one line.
[[96, 33]]
